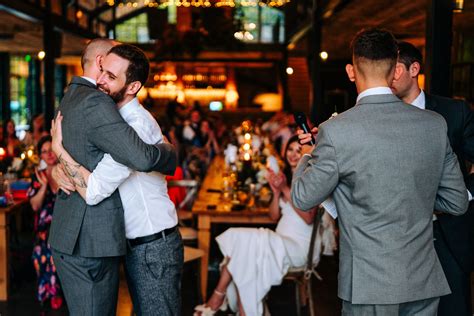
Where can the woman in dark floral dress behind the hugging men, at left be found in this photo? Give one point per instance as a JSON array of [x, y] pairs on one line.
[[42, 194]]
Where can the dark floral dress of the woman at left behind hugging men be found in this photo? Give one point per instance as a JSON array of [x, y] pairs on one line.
[[48, 284]]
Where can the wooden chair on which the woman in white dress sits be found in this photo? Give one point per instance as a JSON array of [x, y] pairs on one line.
[[303, 276]]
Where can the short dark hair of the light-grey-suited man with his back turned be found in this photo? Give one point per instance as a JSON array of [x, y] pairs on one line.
[[375, 44]]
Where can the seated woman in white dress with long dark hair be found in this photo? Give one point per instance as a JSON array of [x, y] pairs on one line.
[[258, 258]]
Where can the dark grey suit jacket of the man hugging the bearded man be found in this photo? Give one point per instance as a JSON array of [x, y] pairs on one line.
[[93, 126]]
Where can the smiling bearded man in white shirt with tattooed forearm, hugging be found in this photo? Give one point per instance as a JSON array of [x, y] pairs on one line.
[[155, 254]]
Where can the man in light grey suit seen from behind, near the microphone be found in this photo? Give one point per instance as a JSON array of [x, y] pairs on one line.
[[387, 165]]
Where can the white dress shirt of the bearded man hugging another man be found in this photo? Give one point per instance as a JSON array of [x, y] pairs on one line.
[[147, 206]]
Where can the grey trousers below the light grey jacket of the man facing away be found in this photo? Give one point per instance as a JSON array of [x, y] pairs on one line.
[[428, 307]]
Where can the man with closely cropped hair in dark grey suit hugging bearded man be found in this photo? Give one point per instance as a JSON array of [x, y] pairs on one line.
[[87, 241]]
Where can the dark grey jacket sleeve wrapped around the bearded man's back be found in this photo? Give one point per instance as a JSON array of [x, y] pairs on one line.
[[109, 132]]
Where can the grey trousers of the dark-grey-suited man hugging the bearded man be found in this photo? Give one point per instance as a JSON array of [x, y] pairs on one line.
[[90, 285]]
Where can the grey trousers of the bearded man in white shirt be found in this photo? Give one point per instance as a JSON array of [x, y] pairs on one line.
[[154, 274]]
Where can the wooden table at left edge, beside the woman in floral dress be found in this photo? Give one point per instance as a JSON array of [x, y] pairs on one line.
[[5, 212]]
